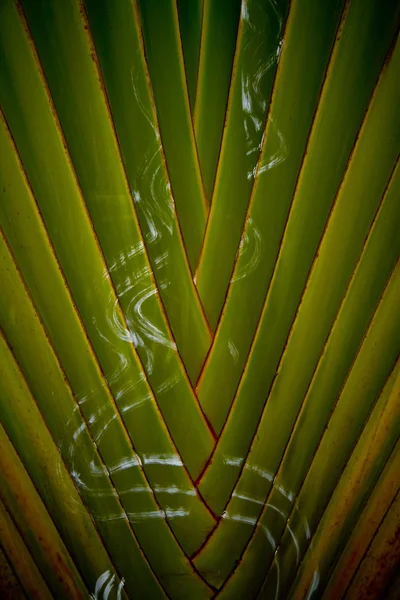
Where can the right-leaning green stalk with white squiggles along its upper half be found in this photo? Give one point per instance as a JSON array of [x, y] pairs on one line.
[[258, 49]]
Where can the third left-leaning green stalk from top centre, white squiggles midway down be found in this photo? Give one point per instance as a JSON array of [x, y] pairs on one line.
[[120, 53]]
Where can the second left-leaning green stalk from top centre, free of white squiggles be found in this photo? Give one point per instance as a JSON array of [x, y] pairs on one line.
[[163, 49]]
